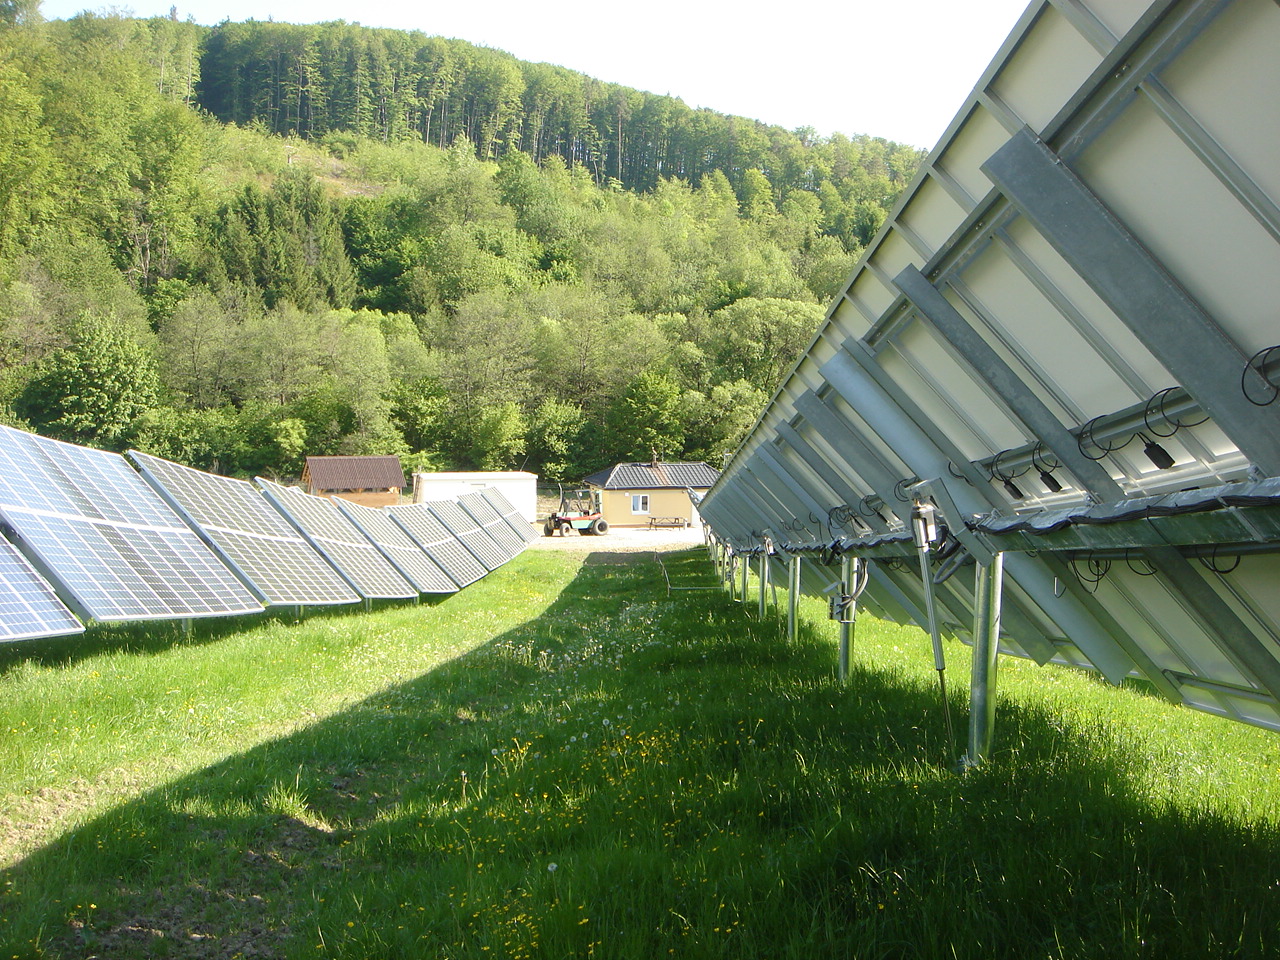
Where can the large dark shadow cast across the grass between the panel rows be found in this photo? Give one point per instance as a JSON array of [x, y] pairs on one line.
[[638, 776]]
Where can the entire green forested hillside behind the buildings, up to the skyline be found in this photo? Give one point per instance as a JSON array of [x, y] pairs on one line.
[[241, 245]]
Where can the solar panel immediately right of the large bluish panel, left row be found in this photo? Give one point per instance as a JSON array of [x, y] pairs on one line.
[[253, 538]]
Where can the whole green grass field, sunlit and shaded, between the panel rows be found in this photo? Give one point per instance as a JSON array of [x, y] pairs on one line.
[[566, 761]]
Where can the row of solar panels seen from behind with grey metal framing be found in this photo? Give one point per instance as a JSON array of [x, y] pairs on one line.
[[1071, 312]]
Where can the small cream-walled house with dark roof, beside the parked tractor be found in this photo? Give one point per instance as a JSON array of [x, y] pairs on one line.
[[652, 495]]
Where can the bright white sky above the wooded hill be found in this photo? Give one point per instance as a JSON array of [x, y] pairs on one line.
[[892, 68]]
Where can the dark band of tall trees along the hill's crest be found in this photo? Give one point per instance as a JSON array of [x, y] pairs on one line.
[[313, 81]]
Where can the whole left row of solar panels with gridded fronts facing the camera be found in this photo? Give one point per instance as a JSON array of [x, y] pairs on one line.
[[93, 538]]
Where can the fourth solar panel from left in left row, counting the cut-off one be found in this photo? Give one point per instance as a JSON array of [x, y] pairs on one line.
[[341, 542]]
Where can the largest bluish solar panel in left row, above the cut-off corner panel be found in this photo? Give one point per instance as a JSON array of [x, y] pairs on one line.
[[112, 548]]
